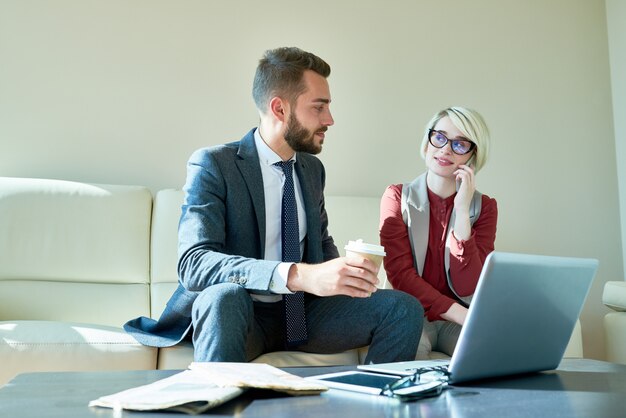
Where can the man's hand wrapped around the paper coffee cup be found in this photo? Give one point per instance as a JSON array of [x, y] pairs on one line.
[[350, 276]]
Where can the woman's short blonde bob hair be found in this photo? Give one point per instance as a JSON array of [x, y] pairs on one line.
[[473, 127]]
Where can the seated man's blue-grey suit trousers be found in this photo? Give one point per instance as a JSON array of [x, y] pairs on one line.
[[229, 326]]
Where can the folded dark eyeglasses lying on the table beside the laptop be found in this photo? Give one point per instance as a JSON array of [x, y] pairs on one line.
[[410, 388]]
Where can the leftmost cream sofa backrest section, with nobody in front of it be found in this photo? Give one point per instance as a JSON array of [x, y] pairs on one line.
[[73, 251]]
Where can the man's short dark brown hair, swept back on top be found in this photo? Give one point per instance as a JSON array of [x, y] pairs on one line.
[[280, 73]]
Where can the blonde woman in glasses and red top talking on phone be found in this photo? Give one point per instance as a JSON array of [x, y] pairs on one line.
[[438, 229]]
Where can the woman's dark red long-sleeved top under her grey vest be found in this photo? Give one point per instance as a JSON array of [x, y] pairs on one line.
[[466, 257]]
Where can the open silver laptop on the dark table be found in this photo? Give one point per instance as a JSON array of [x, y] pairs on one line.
[[520, 320]]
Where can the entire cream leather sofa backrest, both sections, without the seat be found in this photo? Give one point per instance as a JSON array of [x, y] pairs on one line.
[[103, 254]]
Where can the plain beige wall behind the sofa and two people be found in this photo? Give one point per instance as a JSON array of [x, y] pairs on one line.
[[123, 91]]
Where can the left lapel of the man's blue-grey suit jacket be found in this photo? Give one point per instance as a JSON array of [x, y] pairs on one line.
[[249, 166]]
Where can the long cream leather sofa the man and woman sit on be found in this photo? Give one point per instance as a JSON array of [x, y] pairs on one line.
[[78, 260]]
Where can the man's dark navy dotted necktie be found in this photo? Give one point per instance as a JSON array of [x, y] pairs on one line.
[[295, 319]]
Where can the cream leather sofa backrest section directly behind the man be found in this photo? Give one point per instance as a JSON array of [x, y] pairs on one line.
[[350, 218]]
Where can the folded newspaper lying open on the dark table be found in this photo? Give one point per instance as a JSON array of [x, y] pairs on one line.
[[207, 385]]
